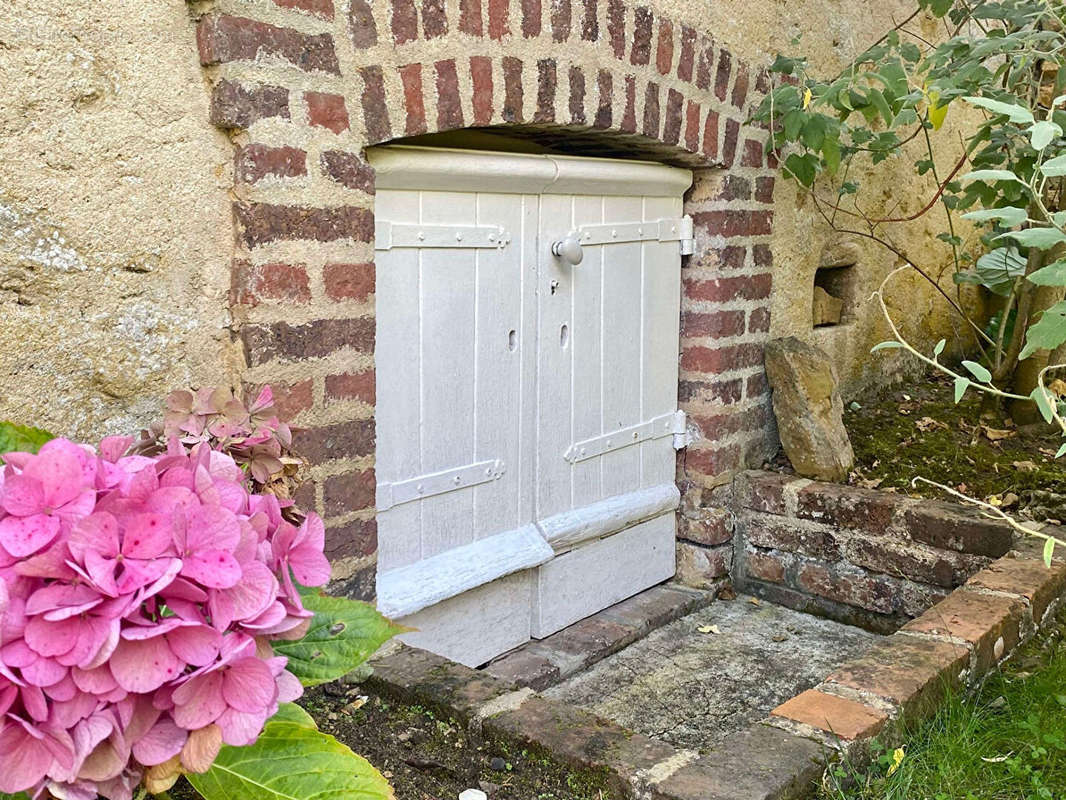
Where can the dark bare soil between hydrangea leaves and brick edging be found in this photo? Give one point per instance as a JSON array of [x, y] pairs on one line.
[[427, 757]]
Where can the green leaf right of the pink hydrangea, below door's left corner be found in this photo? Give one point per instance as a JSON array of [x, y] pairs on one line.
[[344, 634]]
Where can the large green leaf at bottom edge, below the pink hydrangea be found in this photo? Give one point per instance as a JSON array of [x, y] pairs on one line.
[[292, 762]]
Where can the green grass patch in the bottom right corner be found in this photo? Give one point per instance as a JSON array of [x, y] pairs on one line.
[[1007, 742]]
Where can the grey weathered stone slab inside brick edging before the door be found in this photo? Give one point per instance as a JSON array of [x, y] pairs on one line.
[[714, 673]]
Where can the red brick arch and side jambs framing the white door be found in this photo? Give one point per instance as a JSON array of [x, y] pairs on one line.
[[305, 86]]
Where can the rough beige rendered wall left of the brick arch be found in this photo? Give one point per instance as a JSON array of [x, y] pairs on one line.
[[116, 234]]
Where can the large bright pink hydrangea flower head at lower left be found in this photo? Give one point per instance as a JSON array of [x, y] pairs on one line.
[[137, 599]]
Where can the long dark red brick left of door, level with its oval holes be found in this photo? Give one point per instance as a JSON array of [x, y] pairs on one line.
[[264, 343]]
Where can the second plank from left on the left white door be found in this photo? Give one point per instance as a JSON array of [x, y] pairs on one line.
[[448, 308]]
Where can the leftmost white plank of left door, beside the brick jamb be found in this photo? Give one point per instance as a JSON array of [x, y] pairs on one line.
[[398, 375]]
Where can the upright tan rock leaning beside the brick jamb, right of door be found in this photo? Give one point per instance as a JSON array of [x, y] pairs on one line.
[[810, 410]]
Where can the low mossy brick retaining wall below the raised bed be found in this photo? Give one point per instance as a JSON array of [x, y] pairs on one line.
[[870, 558]]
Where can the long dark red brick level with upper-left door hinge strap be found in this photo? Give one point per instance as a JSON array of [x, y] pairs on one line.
[[261, 223]]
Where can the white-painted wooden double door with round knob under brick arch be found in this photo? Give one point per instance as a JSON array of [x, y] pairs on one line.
[[527, 408]]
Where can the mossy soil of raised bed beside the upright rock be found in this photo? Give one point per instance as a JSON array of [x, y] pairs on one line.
[[916, 430]]
